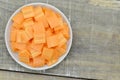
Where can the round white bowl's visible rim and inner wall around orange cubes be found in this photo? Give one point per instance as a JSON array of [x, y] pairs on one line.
[[15, 56]]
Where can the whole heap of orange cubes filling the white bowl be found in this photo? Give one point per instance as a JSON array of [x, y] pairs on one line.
[[39, 35]]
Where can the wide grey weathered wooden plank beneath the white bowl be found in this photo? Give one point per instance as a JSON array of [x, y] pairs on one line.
[[95, 51]]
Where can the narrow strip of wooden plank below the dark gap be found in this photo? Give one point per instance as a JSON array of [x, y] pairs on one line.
[[5, 75]]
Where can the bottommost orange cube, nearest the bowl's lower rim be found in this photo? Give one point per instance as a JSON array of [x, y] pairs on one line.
[[38, 61]]
